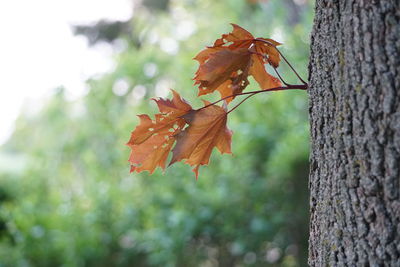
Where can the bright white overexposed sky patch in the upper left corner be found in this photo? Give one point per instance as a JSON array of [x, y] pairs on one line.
[[38, 51]]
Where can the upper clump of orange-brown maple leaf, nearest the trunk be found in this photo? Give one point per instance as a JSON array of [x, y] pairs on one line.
[[226, 65]]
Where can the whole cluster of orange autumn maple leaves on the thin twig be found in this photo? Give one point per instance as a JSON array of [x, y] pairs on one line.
[[224, 67]]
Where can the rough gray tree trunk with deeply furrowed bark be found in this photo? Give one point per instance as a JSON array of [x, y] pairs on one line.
[[355, 132]]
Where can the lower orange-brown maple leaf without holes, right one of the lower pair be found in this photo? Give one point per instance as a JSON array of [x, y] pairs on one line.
[[207, 129]]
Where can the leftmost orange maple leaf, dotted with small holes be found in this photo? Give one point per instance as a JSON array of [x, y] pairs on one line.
[[151, 141]]
